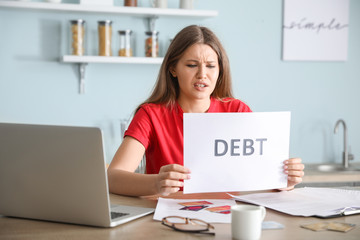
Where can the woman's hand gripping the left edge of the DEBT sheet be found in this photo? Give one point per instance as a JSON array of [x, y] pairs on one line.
[[169, 178]]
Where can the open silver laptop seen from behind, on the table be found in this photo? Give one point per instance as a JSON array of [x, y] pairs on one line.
[[57, 173]]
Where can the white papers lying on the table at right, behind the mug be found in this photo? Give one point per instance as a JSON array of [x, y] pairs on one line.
[[319, 202]]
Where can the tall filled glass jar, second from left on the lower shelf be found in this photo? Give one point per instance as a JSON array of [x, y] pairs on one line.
[[105, 33]]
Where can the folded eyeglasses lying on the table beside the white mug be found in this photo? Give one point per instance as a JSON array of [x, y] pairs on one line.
[[190, 225]]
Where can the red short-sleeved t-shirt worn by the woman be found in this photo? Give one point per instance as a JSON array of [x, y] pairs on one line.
[[160, 130]]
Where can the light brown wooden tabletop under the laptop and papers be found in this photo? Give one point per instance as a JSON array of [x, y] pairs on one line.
[[147, 228]]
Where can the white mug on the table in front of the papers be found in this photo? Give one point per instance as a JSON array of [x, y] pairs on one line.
[[246, 221]]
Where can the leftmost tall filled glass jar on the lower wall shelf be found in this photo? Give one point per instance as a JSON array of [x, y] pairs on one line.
[[77, 37]]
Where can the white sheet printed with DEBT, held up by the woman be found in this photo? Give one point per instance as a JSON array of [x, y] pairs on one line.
[[237, 168]]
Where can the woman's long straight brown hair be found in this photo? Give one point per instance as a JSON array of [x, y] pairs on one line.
[[166, 89]]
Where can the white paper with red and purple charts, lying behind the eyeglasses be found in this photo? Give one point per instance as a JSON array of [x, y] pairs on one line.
[[172, 207]]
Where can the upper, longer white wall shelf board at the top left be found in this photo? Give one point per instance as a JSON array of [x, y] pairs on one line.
[[132, 11]]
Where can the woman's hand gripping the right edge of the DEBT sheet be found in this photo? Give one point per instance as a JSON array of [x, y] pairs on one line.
[[294, 169]]
